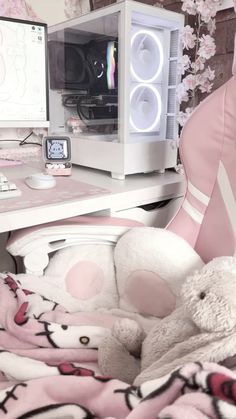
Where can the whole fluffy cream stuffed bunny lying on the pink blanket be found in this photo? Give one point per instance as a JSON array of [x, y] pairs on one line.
[[203, 328]]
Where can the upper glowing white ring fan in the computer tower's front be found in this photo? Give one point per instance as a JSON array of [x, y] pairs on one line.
[[148, 50]]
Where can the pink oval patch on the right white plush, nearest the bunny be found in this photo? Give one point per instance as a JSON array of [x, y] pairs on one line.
[[149, 294]]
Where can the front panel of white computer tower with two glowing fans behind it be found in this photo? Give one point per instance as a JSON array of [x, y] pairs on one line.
[[149, 77]]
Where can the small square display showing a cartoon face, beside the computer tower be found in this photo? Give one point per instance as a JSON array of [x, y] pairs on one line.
[[57, 149]]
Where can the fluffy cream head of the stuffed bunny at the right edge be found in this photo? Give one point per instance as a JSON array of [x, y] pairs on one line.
[[209, 297]]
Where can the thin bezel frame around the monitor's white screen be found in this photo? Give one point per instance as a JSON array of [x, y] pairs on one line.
[[19, 123]]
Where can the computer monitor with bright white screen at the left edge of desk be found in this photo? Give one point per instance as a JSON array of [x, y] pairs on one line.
[[23, 74]]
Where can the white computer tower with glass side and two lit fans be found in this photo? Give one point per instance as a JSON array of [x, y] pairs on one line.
[[113, 76]]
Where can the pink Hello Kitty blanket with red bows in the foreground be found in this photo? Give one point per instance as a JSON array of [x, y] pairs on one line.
[[48, 370]]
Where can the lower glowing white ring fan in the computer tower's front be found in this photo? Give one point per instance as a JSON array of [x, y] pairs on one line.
[[146, 107]]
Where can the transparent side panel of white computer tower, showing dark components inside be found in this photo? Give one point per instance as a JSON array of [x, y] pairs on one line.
[[83, 69]]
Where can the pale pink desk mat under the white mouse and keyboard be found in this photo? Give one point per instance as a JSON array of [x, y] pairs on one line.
[[66, 189]]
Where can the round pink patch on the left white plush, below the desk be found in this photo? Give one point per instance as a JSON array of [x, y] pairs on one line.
[[84, 280]]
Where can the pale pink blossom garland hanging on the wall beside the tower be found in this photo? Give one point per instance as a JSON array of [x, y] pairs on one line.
[[197, 75]]
